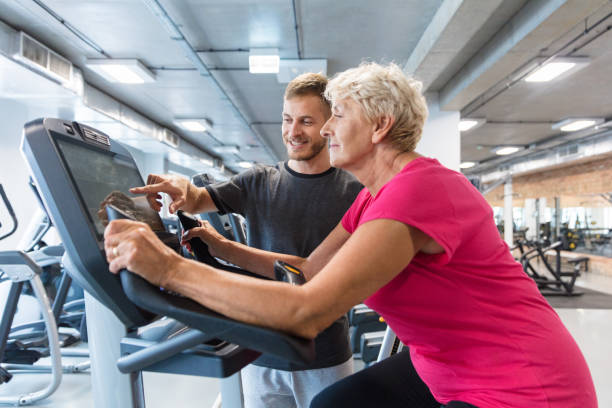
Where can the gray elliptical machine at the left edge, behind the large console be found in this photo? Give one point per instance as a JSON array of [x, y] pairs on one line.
[[24, 344]]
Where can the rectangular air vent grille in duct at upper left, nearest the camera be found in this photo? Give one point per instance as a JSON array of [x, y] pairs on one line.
[[42, 58]]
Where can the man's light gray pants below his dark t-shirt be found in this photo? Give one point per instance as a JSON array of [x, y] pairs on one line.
[[269, 388]]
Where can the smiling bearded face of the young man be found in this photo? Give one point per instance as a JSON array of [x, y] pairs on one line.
[[303, 117]]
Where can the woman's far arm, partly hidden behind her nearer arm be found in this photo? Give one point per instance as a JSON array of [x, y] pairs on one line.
[[262, 262]]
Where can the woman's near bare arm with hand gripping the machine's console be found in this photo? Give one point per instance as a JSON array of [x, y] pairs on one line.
[[376, 252]]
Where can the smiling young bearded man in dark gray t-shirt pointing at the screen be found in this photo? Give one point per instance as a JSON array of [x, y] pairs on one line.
[[289, 208]]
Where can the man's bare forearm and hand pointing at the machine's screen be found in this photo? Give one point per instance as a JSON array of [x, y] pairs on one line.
[[185, 196]]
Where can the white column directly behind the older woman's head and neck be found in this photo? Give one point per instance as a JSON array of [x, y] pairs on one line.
[[441, 139]]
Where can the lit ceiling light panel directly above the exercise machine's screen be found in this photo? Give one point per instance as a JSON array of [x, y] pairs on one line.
[[126, 71]]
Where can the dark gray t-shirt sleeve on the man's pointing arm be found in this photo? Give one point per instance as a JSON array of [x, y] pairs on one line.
[[230, 196]]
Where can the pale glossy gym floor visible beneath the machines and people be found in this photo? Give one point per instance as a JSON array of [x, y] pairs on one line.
[[592, 329]]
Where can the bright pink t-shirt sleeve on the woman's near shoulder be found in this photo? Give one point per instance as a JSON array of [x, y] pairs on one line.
[[423, 205]]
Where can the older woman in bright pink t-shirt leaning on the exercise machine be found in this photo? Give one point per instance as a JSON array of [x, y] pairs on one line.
[[419, 246]]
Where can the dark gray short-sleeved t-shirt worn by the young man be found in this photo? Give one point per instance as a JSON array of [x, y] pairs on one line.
[[292, 213]]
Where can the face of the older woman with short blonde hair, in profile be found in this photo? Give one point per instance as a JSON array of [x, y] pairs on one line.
[[349, 133]]
